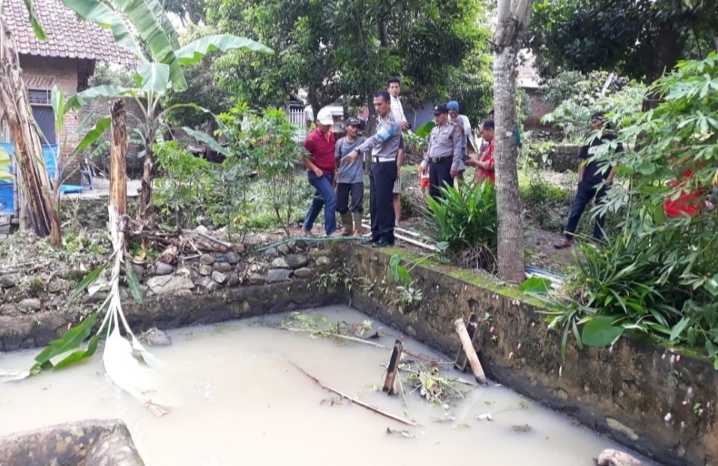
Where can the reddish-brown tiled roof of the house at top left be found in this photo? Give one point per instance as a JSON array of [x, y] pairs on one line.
[[68, 36]]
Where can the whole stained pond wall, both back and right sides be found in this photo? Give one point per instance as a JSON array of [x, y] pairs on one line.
[[654, 400]]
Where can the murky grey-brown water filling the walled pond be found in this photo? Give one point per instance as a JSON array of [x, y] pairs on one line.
[[236, 397]]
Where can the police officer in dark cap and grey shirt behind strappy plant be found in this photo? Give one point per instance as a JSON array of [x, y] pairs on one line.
[[445, 152]]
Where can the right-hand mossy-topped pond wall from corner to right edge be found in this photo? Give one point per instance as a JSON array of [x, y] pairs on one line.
[[655, 401]]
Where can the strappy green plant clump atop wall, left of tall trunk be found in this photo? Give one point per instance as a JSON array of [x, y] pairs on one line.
[[466, 219]]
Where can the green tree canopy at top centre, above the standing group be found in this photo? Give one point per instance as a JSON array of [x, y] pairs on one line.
[[336, 49]]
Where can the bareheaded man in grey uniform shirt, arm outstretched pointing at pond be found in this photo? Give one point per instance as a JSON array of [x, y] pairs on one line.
[[384, 147]]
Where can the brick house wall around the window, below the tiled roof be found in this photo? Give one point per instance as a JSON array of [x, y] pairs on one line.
[[38, 73]]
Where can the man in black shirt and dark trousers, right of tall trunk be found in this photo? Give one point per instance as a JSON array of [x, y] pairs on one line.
[[592, 181]]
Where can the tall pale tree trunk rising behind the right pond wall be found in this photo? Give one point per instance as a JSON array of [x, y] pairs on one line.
[[511, 25]]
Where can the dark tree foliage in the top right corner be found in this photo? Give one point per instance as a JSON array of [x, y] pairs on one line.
[[636, 38]]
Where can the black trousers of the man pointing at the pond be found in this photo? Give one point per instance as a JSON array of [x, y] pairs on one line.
[[381, 203]]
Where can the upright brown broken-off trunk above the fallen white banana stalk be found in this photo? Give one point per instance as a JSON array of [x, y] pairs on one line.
[[118, 157]]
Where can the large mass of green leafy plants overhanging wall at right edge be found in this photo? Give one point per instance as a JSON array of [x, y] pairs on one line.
[[658, 276]]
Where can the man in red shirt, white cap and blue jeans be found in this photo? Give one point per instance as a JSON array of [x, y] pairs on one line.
[[320, 164]]
